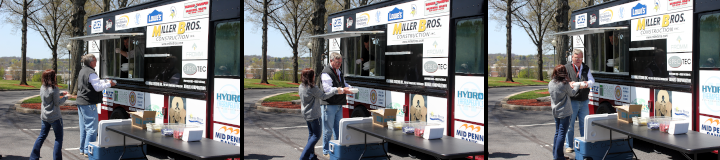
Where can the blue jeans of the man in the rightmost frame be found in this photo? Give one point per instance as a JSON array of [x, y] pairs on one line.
[[580, 110]]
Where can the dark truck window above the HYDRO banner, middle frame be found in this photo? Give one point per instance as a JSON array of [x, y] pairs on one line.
[[470, 47]]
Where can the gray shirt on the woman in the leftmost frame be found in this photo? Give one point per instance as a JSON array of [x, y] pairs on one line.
[[51, 102]]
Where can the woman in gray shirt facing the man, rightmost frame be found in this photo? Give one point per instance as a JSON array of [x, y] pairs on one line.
[[560, 91]]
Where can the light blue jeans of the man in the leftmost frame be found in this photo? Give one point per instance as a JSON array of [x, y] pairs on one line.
[[88, 125]]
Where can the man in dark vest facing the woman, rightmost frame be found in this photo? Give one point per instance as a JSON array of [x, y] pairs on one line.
[[578, 72]]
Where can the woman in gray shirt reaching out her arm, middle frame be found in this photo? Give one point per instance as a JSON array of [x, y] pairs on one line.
[[310, 97]]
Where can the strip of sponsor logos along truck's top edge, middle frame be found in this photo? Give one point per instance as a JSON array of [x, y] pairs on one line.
[[402, 12]]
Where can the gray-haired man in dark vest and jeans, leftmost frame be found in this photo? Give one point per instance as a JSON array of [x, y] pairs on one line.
[[89, 94]]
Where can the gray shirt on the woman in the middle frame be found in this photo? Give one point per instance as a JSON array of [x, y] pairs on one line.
[[310, 98]]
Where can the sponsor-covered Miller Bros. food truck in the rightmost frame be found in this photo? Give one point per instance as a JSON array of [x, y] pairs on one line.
[[659, 54]]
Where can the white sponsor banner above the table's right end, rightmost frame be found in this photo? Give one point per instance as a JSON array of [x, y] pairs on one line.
[[682, 111]]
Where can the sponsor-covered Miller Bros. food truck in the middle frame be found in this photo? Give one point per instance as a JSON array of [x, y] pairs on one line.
[[425, 58]]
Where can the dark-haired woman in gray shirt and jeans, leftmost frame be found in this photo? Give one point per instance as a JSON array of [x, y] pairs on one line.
[[50, 114]]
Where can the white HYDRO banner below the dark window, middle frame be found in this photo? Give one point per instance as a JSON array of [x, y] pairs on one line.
[[470, 98]]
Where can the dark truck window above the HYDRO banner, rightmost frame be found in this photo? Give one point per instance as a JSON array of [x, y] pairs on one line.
[[709, 41]]
